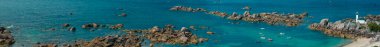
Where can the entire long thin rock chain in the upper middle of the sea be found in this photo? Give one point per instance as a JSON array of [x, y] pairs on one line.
[[270, 18]]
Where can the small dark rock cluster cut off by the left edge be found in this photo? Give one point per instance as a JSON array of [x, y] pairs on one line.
[[6, 39]]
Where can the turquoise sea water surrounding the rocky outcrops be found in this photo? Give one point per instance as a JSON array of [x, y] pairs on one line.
[[30, 18]]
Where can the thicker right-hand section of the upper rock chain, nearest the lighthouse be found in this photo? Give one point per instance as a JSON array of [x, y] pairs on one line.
[[274, 18]]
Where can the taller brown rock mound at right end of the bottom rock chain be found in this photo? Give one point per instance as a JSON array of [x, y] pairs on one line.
[[170, 36]]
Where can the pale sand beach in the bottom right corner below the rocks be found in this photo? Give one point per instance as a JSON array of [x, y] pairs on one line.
[[362, 42]]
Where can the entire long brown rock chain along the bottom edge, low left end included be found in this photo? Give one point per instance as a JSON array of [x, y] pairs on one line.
[[137, 38]]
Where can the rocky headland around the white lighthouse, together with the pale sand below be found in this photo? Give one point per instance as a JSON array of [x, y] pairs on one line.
[[352, 29]]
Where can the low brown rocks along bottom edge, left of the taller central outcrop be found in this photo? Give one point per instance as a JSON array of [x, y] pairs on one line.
[[107, 41]]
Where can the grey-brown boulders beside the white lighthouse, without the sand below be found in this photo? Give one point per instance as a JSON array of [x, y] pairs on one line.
[[347, 28]]
